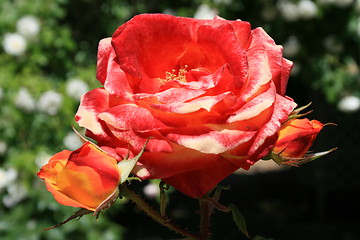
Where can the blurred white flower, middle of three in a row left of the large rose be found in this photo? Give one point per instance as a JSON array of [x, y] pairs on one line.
[[50, 102]]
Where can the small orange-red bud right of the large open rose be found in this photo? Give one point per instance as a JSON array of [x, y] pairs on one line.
[[296, 137]]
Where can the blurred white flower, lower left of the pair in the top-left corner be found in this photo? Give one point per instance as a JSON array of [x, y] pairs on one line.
[[14, 44]]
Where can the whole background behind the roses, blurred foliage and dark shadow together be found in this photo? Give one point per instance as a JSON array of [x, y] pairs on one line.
[[41, 85]]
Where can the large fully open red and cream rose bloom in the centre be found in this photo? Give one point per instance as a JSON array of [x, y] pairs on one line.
[[210, 93]]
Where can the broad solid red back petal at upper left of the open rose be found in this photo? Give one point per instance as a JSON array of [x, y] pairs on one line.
[[148, 47]]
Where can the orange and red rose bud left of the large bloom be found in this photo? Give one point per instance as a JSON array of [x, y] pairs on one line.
[[82, 178]]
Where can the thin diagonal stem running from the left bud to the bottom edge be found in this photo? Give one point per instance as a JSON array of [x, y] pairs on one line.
[[163, 220]]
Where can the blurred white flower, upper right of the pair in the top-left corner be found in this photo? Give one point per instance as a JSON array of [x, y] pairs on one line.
[[28, 26]]
